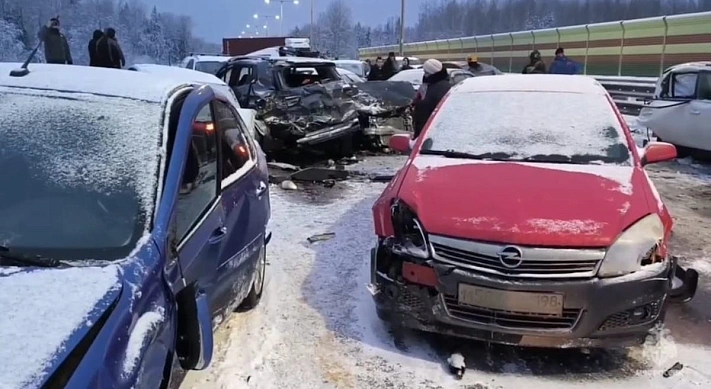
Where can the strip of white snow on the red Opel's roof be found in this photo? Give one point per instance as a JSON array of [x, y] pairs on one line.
[[531, 83]]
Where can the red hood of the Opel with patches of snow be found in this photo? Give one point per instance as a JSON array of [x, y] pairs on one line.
[[526, 204]]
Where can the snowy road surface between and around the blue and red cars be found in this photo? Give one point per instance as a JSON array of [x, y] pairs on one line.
[[316, 326]]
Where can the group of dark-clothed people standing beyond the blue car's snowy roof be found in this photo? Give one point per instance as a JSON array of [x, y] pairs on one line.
[[104, 49]]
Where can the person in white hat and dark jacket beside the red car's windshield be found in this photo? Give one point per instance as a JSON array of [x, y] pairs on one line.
[[437, 83]]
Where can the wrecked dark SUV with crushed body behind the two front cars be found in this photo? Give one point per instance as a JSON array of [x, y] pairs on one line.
[[302, 102]]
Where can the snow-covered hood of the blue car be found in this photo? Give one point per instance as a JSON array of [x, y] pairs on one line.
[[44, 313]]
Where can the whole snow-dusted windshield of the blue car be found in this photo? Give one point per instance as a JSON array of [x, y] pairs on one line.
[[78, 173]]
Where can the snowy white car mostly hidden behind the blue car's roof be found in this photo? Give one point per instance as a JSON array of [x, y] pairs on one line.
[[197, 77]]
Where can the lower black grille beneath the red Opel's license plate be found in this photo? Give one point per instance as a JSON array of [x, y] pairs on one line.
[[507, 319]]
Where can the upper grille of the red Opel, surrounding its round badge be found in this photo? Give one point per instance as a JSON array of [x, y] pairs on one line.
[[538, 267]]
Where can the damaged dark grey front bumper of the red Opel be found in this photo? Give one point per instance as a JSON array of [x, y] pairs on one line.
[[598, 313]]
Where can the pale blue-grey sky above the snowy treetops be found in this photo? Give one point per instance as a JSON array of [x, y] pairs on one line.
[[217, 19]]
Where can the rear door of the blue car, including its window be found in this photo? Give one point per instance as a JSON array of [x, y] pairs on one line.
[[243, 186]]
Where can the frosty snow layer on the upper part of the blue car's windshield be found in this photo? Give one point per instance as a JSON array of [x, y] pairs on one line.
[[81, 144]]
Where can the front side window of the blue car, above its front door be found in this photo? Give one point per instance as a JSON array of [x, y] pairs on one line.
[[199, 186]]
